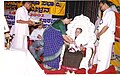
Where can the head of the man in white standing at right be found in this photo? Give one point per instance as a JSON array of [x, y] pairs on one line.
[[104, 4]]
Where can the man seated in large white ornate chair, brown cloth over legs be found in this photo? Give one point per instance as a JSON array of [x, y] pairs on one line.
[[73, 53]]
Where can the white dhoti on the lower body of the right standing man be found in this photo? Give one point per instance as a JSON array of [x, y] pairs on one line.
[[103, 55]]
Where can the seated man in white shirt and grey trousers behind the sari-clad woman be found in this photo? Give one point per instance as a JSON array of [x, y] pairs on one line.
[[37, 46]]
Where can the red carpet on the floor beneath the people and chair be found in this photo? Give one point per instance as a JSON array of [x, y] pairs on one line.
[[110, 70]]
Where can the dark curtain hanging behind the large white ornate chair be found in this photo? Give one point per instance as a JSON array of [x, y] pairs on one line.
[[87, 8]]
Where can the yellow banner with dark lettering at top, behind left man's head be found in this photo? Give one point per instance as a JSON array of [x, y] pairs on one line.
[[45, 7]]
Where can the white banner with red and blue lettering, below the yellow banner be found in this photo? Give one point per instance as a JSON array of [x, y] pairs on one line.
[[45, 18]]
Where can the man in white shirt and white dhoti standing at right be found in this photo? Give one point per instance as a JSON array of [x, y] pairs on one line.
[[105, 36]]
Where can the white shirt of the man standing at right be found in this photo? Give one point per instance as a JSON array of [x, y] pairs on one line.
[[108, 19]]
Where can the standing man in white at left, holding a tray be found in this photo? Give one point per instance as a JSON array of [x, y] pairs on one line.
[[21, 26]]
